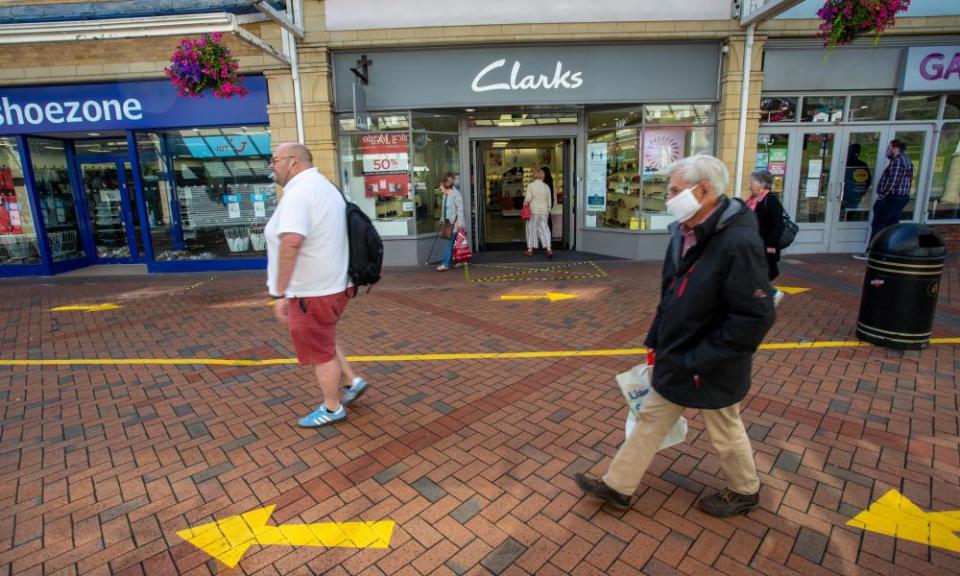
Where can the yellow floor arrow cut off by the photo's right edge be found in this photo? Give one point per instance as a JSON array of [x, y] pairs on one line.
[[894, 515]]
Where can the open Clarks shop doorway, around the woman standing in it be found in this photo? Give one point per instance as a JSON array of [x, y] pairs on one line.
[[502, 170]]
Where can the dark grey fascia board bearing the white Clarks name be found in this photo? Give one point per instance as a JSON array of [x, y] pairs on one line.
[[513, 75]]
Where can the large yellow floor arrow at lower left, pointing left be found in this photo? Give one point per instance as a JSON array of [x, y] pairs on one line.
[[227, 540]]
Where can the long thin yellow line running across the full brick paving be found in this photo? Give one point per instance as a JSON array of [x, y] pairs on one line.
[[773, 346]]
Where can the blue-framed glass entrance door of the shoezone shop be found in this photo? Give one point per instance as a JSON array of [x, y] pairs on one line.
[[113, 221]]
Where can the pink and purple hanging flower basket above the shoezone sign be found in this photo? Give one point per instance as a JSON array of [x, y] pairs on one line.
[[205, 64]]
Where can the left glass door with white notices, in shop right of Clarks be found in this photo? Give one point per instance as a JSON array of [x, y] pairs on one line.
[[812, 185]]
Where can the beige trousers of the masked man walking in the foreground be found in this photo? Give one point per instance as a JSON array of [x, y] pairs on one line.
[[656, 417]]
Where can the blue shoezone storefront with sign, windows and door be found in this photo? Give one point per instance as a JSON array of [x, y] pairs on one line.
[[131, 173]]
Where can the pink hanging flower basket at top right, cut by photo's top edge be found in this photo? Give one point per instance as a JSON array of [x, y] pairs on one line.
[[846, 20]]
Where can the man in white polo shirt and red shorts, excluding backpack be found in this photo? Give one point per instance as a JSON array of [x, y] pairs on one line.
[[307, 258]]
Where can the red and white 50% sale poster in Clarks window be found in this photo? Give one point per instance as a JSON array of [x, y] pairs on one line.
[[386, 164]]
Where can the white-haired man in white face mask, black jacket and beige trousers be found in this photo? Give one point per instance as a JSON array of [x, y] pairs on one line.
[[715, 308]]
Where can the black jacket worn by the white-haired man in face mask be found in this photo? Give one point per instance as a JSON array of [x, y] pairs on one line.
[[716, 306]]
